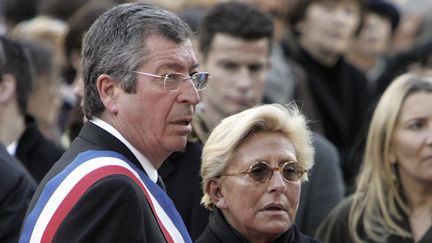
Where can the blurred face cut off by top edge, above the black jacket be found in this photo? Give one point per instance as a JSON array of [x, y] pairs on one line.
[[329, 26]]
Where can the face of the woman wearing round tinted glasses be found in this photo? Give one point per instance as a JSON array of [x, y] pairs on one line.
[[255, 209]]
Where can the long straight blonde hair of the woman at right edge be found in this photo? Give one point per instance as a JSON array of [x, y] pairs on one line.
[[378, 198]]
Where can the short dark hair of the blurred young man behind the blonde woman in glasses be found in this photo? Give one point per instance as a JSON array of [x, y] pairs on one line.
[[236, 19]]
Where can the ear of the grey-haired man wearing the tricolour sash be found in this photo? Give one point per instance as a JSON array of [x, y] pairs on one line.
[[109, 90]]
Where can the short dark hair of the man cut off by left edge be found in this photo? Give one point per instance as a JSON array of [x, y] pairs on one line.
[[17, 64]]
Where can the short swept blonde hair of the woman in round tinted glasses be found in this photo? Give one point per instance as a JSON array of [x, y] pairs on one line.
[[236, 129]]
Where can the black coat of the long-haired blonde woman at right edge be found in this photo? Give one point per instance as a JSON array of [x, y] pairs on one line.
[[334, 228]]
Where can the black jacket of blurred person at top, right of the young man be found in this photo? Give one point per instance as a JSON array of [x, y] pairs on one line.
[[336, 101]]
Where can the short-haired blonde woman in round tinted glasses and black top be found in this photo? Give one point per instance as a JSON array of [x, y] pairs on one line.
[[252, 167]]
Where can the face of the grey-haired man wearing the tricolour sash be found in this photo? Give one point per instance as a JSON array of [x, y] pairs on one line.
[[154, 120]]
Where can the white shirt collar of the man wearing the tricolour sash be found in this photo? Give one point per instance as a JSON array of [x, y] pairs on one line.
[[148, 167]]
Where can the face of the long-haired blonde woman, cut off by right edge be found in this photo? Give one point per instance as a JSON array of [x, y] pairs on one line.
[[411, 146]]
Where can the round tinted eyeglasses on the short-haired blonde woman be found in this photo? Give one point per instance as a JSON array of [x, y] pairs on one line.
[[262, 172]]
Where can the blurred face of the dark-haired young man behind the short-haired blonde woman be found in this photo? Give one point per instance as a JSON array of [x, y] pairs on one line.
[[238, 68]]
